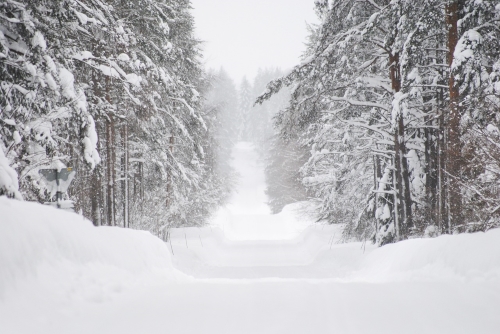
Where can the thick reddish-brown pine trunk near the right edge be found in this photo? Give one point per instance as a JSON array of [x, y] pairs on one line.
[[454, 160]]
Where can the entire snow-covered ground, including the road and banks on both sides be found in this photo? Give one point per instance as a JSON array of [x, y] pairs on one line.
[[251, 272]]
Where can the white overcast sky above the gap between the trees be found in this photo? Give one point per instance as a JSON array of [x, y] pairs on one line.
[[245, 35]]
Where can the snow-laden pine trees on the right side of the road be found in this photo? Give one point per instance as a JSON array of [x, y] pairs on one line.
[[399, 104]]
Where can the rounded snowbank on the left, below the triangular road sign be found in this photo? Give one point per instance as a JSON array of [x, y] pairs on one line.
[[58, 249]]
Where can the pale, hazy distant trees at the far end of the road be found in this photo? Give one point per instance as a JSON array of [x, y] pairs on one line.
[[241, 120]]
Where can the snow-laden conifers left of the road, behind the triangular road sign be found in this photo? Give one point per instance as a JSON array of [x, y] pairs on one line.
[[115, 90]]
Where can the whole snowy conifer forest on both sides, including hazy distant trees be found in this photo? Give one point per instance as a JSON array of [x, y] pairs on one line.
[[390, 122]]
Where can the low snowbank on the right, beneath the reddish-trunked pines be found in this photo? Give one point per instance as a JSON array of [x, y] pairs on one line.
[[465, 257]]
